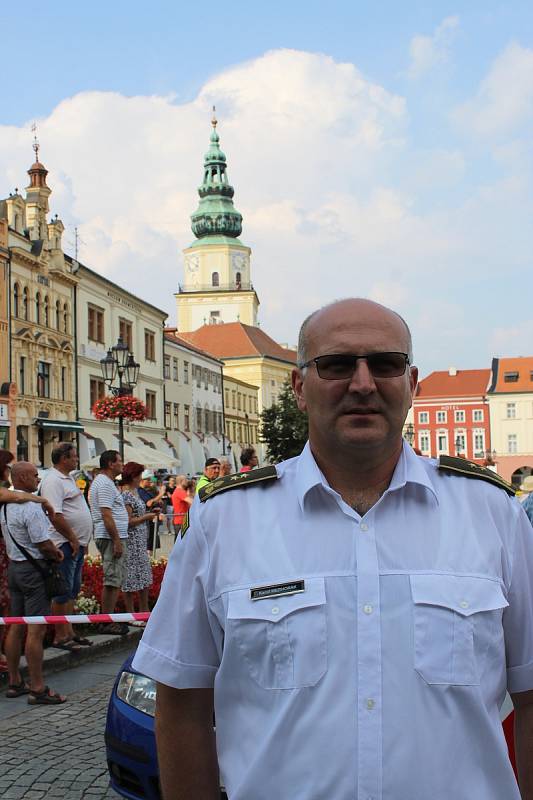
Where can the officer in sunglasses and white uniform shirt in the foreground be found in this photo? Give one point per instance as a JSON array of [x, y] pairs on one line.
[[354, 615]]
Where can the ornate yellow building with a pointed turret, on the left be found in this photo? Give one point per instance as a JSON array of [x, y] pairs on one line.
[[42, 290]]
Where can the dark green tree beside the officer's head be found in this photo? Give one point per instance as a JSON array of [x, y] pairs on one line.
[[283, 427]]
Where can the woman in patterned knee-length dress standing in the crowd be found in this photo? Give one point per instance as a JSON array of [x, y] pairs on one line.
[[139, 570]]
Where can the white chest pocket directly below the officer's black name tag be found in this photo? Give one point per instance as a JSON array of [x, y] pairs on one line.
[[283, 640]]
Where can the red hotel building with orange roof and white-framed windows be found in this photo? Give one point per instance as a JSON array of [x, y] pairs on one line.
[[451, 414]]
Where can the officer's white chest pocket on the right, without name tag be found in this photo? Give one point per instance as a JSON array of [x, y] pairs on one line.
[[456, 619]]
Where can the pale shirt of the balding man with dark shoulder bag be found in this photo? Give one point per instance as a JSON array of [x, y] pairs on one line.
[[28, 525]]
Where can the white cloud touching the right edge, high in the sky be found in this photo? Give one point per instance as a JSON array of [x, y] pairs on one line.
[[504, 99]]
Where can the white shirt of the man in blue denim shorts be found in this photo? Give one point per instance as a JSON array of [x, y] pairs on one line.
[[65, 497]]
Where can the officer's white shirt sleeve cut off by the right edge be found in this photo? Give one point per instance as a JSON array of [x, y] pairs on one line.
[[518, 617]]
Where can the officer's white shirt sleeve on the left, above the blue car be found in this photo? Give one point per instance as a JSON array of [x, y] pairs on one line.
[[182, 643]]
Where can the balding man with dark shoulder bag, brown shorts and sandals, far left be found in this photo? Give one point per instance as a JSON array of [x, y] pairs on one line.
[[27, 526]]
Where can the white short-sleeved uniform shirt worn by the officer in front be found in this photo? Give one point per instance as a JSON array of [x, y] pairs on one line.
[[383, 679]]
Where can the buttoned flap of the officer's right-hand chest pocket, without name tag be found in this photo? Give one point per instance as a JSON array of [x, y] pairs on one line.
[[464, 594]]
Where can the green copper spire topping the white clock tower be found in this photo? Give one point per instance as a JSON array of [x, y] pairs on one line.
[[216, 214]]
